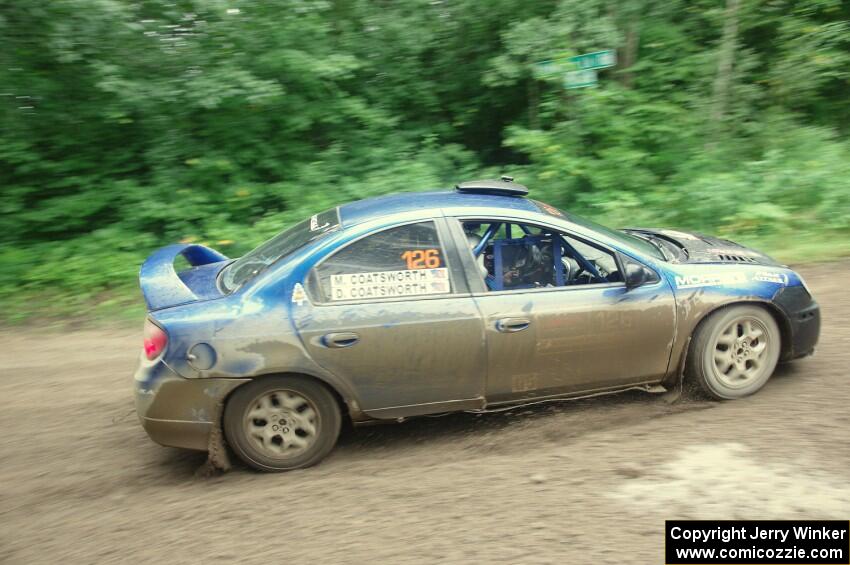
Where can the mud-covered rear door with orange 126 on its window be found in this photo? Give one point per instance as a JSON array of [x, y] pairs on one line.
[[392, 314]]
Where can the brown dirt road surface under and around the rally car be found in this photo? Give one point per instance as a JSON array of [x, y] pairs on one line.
[[579, 482]]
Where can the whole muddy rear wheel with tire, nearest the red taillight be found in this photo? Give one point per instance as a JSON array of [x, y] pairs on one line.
[[258, 445]]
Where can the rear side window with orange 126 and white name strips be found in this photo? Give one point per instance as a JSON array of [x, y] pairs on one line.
[[404, 261]]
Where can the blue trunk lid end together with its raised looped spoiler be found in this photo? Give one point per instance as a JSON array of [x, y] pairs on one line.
[[162, 286]]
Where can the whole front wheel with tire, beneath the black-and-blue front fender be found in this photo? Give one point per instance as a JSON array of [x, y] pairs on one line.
[[723, 339]]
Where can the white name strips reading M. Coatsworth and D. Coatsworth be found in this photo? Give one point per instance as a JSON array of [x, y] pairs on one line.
[[386, 284]]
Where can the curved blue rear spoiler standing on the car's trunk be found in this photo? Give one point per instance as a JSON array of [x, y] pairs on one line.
[[161, 285]]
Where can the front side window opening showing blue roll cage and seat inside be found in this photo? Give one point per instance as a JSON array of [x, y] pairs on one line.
[[512, 256]]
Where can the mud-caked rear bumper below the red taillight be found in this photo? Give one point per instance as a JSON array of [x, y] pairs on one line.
[[175, 411]]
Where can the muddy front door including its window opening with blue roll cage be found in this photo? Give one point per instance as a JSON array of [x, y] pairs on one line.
[[557, 316]]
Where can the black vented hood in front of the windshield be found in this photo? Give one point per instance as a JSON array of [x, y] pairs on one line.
[[699, 248]]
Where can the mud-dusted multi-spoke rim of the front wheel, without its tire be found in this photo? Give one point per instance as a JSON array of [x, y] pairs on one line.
[[741, 352]]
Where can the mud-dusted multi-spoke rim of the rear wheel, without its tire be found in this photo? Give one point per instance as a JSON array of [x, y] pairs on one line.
[[281, 423]]
